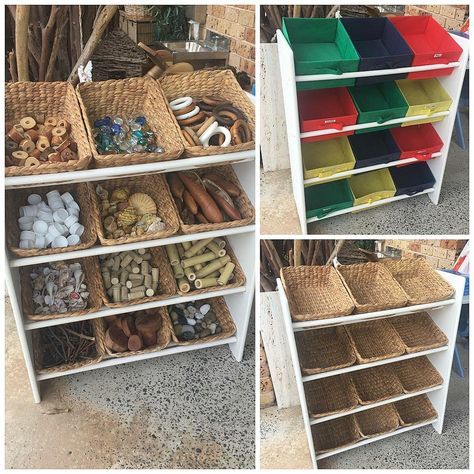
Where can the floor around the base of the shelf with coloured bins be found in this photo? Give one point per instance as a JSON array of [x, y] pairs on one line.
[[416, 215]]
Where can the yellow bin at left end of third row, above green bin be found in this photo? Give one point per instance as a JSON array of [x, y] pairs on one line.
[[325, 158]]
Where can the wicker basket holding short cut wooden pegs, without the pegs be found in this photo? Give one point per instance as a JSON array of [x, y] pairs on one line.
[[166, 282]]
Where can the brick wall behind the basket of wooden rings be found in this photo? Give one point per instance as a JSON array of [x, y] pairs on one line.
[[237, 22]]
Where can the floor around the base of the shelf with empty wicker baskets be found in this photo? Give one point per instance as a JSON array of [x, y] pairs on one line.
[[283, 439]]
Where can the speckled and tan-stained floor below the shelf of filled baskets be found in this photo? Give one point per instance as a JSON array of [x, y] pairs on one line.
[[191, 410]]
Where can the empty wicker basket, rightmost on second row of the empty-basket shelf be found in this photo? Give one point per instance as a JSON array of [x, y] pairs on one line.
[[418, 332]]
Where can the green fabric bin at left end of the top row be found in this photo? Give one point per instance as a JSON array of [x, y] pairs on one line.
[[320, 46]]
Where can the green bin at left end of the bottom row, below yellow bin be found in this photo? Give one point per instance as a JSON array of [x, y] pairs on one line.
[[325, 198]]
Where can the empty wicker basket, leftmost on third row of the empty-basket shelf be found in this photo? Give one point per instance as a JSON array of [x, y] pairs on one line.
[[330, 395]]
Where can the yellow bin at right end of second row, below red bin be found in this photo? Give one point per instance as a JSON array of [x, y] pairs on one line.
[[424, 97]]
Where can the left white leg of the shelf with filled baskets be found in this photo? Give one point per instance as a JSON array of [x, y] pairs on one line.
[[14, 290]]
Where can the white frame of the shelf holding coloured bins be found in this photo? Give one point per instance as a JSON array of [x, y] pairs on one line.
[[452, 84]]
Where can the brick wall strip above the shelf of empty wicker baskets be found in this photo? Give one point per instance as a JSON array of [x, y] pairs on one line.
[[441, 254]]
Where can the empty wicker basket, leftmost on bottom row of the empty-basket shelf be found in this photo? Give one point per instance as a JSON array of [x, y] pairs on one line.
[[335, 434]]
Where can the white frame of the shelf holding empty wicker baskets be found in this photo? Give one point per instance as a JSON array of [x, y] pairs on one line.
[[446, 316]]
